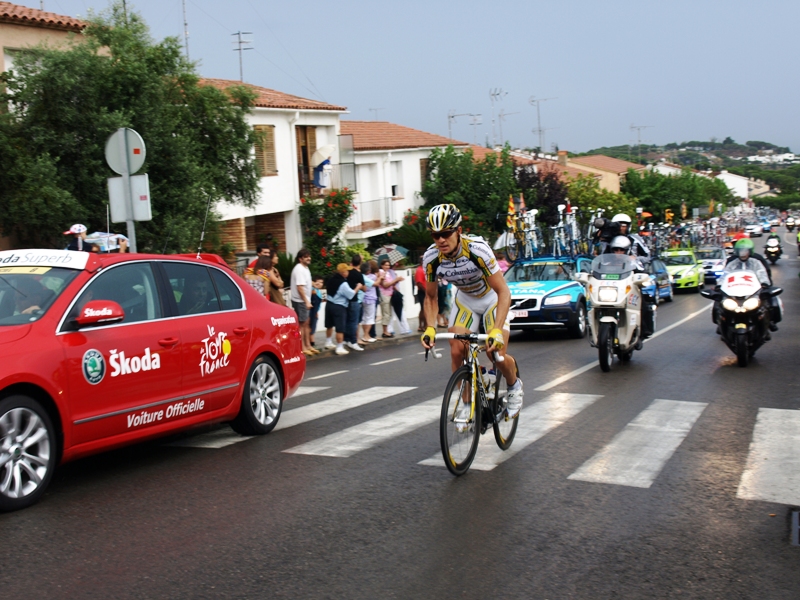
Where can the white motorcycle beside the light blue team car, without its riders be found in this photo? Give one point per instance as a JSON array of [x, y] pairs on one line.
[[617, 307]]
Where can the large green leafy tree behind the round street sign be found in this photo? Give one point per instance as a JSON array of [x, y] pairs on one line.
[[65, 104]]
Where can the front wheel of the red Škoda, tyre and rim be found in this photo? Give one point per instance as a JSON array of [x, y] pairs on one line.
[[28, 451]]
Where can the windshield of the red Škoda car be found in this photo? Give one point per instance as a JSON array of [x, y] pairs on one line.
[[27, 292]]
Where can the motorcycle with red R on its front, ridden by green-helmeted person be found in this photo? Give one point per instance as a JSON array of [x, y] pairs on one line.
[[743, 315]]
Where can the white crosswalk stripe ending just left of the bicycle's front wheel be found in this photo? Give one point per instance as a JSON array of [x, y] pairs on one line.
[[367, 435]]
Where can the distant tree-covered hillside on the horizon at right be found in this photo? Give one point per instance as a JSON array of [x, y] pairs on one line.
[[696, 154]]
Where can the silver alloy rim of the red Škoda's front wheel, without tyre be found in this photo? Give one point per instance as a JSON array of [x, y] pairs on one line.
[[24, 452]]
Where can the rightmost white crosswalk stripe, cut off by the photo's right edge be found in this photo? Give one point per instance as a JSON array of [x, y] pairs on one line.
[[772, 472]]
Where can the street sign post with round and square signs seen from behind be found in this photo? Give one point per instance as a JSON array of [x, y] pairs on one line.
[[125, 154]]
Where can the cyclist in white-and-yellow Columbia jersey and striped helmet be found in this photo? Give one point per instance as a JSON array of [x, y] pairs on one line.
[[482, 296]]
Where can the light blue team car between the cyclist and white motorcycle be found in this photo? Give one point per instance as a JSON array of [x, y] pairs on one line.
[[544, 296]]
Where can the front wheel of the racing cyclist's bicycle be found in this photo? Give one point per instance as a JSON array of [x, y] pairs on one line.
[[459, 440]]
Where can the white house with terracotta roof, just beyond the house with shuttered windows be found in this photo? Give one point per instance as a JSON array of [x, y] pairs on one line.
[[391, 162]]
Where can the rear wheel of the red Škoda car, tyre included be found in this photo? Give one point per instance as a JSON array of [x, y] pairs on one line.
[[262, 399]]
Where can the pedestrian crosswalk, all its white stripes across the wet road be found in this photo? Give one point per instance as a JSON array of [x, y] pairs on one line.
[[635, 457]]
